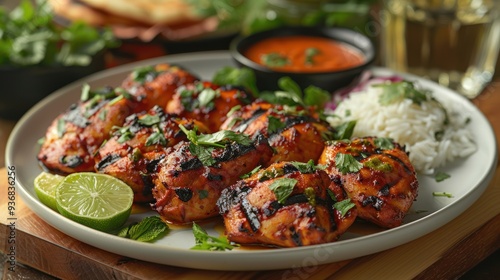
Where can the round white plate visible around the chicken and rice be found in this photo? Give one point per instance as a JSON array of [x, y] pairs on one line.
[[469, 178]]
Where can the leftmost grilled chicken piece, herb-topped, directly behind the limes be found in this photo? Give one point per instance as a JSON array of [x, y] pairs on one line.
[[75, 135]]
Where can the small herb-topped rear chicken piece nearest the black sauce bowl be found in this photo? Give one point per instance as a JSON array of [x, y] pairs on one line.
[[207, 102]]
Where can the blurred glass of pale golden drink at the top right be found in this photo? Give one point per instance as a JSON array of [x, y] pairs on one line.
[[453, 42]]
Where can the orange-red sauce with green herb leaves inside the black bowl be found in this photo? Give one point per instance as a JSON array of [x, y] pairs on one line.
[[304, 54]]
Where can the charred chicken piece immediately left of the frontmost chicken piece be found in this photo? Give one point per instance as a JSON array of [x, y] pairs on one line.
[[187, 190]]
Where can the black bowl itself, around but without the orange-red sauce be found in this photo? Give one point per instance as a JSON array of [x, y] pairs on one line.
[[330, 80]]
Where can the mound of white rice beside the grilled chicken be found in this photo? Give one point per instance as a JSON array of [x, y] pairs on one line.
[[410, 125]]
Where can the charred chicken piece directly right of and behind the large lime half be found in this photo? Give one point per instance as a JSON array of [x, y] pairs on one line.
[[135, 149]]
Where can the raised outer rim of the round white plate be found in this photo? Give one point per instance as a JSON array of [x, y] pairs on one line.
[[437, 218]]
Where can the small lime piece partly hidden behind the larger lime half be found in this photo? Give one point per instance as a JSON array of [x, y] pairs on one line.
[[45, 188]]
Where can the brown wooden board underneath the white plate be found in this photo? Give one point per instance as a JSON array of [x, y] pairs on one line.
[[444, 253]]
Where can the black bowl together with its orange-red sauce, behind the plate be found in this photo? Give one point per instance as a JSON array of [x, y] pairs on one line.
[[309, 46]]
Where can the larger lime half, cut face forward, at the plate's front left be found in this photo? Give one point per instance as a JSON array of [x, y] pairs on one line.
[[95, 200]]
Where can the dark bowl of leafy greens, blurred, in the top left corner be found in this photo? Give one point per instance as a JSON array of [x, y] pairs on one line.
[[38, 56]]
